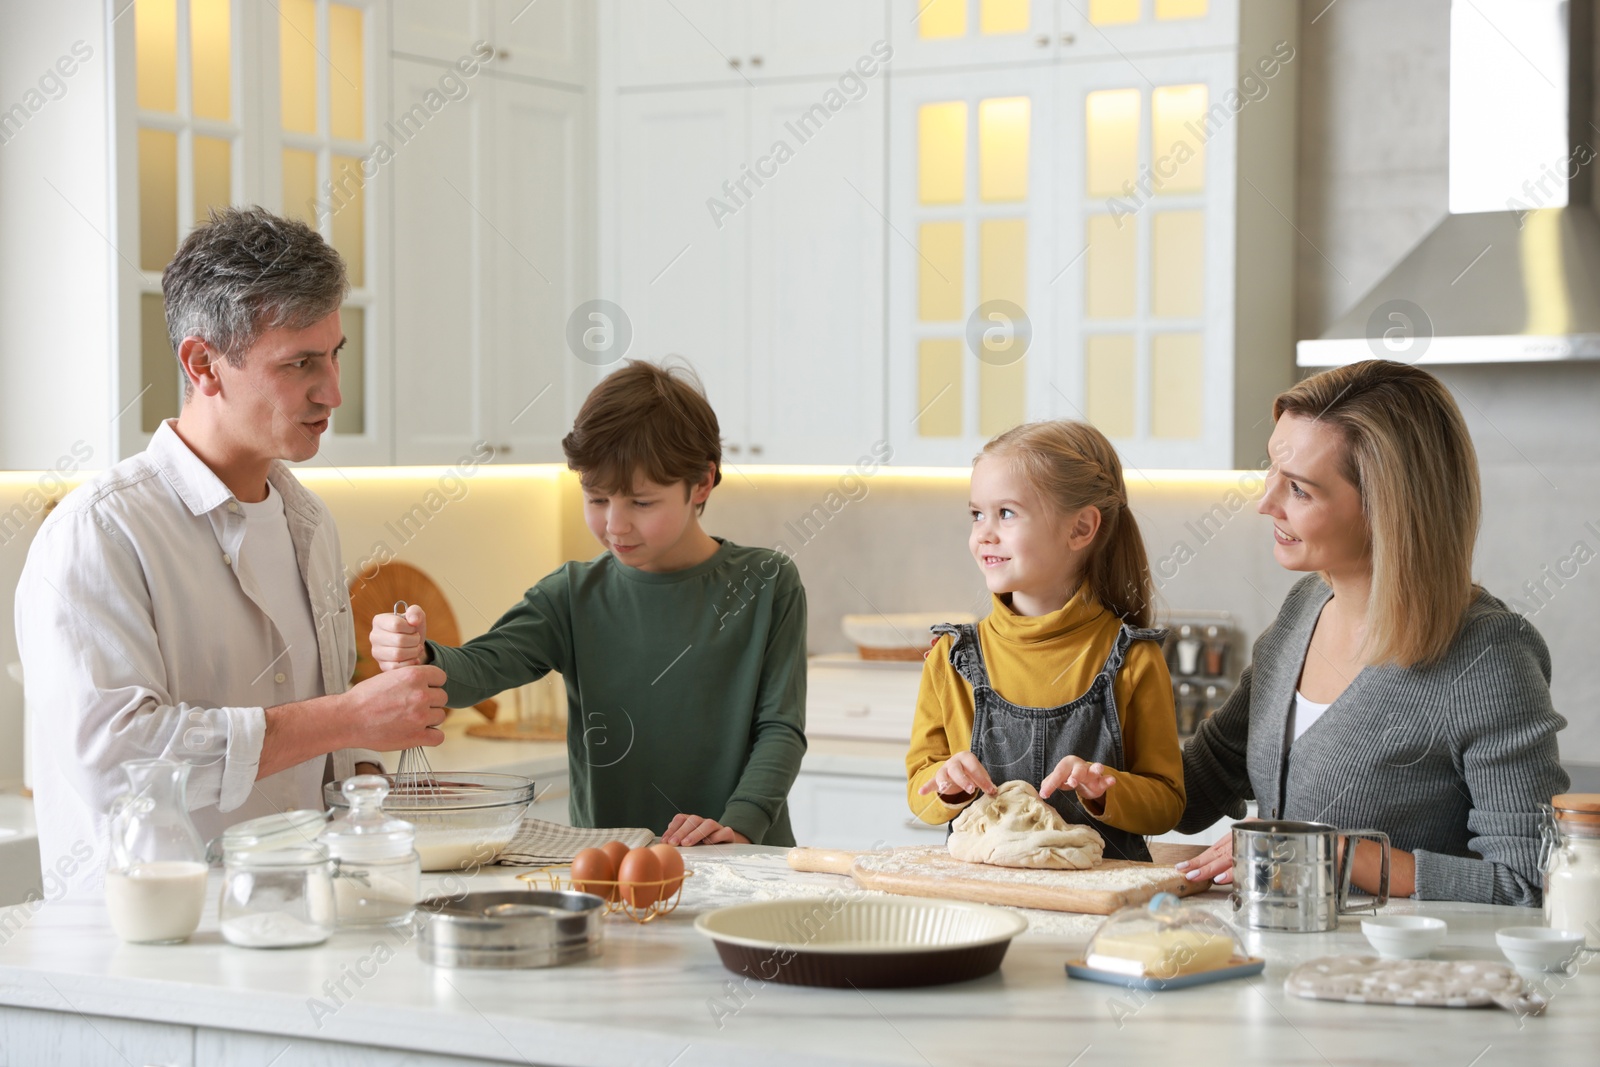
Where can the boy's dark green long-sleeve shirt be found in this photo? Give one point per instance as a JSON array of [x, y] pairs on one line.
[[686, 692]]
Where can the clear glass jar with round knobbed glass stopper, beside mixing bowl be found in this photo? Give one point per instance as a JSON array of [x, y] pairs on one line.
[[380, 873]]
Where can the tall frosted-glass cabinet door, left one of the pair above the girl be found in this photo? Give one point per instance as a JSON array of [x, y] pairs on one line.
[[972, 199]]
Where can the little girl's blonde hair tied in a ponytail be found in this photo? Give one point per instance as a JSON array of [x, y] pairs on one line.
[[1073, 466]]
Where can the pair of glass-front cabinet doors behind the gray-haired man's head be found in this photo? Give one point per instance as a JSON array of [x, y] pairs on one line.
[[223, 103]]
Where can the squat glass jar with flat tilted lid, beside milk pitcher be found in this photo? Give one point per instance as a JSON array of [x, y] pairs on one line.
[[278, 882]]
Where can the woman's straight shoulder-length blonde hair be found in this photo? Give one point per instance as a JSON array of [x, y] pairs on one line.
[[1409, 454]]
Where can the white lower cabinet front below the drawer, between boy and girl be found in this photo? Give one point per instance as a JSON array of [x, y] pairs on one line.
[[857, 813]]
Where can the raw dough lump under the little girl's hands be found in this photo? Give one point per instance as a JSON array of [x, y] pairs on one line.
[[1018, 829]]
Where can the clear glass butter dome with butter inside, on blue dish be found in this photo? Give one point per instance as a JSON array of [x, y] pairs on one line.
[[1164, 940]]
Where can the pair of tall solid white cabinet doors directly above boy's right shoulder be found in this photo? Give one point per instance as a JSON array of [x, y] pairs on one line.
[[750, 244]]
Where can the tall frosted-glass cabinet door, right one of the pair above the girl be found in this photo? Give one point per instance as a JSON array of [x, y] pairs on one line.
[[1148, 202]]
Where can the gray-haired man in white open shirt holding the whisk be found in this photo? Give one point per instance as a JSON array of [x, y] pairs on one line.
[[190, 602]]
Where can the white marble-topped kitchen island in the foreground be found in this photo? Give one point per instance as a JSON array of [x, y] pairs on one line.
[[73, 994]]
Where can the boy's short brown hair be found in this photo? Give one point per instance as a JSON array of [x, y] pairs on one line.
[[644, 422]]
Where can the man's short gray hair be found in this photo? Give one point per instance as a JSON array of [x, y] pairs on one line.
[[244, 273]]
